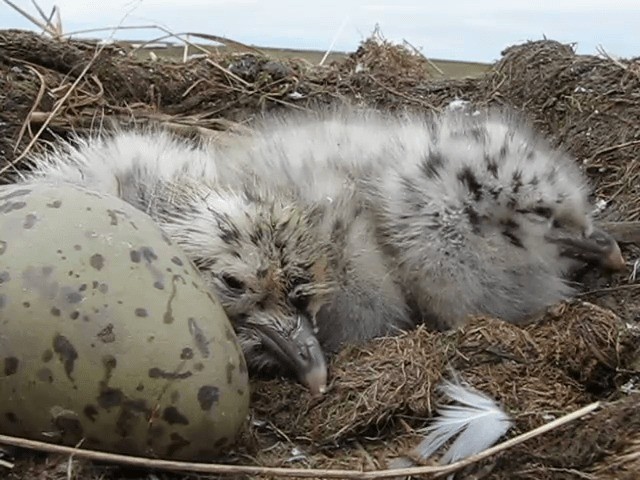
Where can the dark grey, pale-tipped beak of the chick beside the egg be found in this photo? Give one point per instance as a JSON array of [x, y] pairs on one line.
[[301, 351]]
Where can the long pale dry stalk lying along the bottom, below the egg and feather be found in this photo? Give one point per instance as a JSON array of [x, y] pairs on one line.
[[221, 469]]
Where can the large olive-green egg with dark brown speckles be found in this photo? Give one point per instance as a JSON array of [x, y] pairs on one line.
[[108, 334]]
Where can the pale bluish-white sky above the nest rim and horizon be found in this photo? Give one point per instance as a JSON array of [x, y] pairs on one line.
[[448, 29]]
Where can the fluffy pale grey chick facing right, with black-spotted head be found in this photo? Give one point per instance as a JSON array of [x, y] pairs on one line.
[[439, 217]]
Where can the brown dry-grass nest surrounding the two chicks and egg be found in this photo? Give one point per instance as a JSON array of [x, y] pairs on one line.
[[382, 392]]
